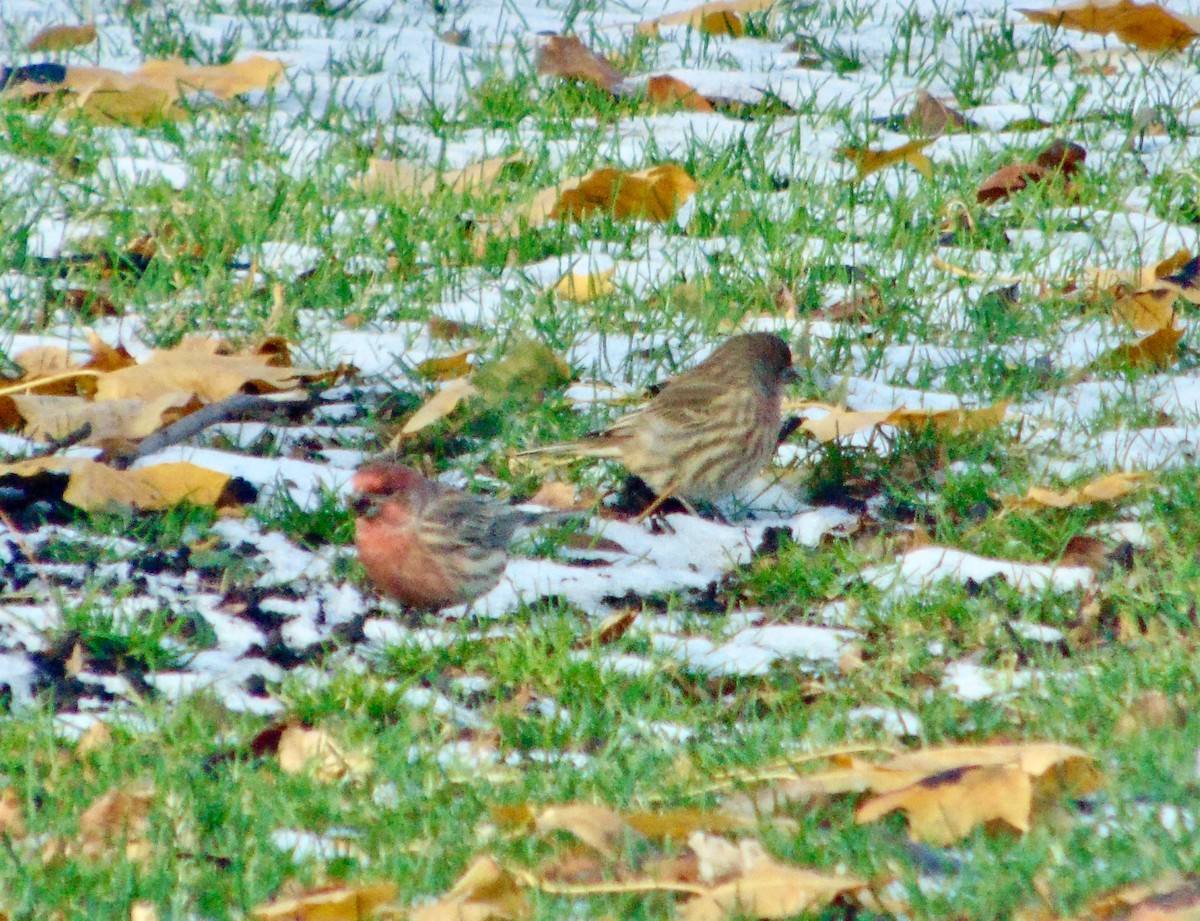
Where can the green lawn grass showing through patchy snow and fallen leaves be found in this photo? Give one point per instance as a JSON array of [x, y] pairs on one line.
[[421, 812]]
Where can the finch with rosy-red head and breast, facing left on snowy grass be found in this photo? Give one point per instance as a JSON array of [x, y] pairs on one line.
[[425, 544]]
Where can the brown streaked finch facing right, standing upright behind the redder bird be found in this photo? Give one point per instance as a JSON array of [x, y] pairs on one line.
[[710, 431]]
